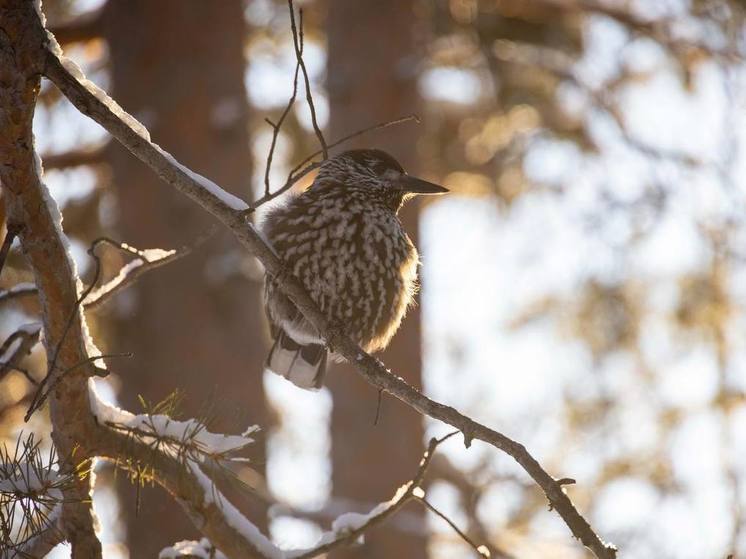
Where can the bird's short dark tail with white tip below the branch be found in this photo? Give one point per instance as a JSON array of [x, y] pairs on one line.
[[303, 365]]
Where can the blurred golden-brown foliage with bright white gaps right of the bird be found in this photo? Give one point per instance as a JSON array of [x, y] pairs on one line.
[[551, 116]]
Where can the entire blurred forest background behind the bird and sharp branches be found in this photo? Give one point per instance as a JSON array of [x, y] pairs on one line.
[[584, 284]]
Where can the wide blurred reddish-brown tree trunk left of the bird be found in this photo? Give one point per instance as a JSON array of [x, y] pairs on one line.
[[194, 325]]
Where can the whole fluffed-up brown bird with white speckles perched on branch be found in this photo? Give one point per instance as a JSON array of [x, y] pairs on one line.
[[343, 240]]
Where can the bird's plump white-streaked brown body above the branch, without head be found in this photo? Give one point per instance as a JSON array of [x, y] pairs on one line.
[[358, 265]]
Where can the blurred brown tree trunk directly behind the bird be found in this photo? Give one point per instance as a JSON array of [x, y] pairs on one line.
[[372, 77]]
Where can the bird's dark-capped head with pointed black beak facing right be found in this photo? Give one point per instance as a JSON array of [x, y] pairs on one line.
[[374, 173]]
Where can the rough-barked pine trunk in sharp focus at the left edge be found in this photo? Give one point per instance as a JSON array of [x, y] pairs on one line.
[[21, 64]]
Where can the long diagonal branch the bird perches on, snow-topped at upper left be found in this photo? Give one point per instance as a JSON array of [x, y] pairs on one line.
[[232, 214]]
